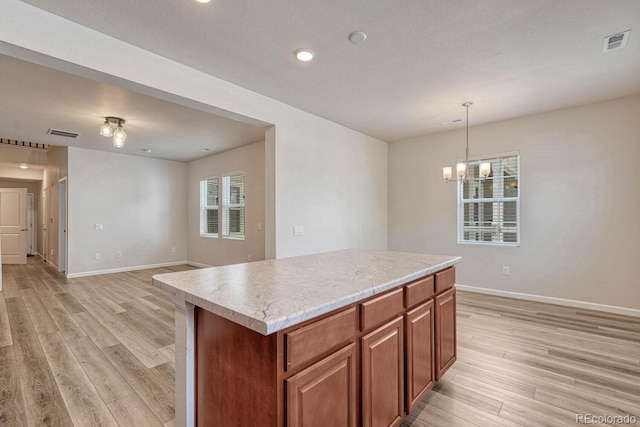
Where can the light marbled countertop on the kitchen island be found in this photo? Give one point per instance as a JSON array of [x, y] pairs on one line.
[[268, 296]]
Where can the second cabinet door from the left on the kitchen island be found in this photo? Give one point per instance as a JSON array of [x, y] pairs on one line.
[[383, 375]]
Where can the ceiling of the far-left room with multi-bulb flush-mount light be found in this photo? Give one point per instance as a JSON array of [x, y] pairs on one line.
[[43, 98]]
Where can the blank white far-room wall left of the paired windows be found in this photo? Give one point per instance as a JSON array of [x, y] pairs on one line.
[[141, 203]]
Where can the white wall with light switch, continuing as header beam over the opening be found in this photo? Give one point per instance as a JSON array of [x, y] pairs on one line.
[[320, 174]]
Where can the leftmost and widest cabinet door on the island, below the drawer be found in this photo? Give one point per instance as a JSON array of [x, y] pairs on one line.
[[324, 395]]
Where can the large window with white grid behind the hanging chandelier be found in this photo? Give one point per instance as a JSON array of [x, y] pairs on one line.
[[489, 211]]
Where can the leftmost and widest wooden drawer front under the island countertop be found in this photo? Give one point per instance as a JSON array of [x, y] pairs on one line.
[[307, 343]]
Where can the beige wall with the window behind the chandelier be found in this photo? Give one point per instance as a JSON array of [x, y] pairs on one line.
[[580, 201]]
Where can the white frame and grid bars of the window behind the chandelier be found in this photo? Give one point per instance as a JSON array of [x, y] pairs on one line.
[[498, 228]]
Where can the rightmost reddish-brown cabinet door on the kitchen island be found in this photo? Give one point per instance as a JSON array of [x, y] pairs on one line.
[[445, 344]]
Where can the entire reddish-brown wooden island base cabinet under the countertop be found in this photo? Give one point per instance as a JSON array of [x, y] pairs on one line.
[[367, 364]]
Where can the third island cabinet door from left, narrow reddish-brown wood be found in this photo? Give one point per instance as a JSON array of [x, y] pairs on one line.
[[420, 362]]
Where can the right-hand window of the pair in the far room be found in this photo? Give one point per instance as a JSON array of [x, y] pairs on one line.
[[233, 206]]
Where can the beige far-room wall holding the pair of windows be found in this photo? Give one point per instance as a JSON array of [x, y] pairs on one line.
[[218, 251]]
